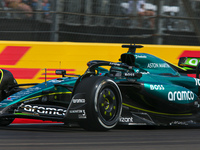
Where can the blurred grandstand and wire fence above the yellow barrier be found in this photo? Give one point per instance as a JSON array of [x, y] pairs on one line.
[[162, 22]]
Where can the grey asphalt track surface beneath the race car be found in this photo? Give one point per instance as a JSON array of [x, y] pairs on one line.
[[60, 137]]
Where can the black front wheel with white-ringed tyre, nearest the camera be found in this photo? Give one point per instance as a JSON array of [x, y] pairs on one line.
[[103, 103]]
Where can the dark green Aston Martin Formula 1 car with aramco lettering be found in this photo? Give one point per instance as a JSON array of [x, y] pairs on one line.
[[141, 89]]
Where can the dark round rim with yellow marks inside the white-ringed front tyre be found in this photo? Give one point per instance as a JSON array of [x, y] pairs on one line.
[[107, 105]]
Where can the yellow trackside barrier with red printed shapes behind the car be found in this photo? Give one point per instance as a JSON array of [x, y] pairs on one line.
[[27, 60]]
